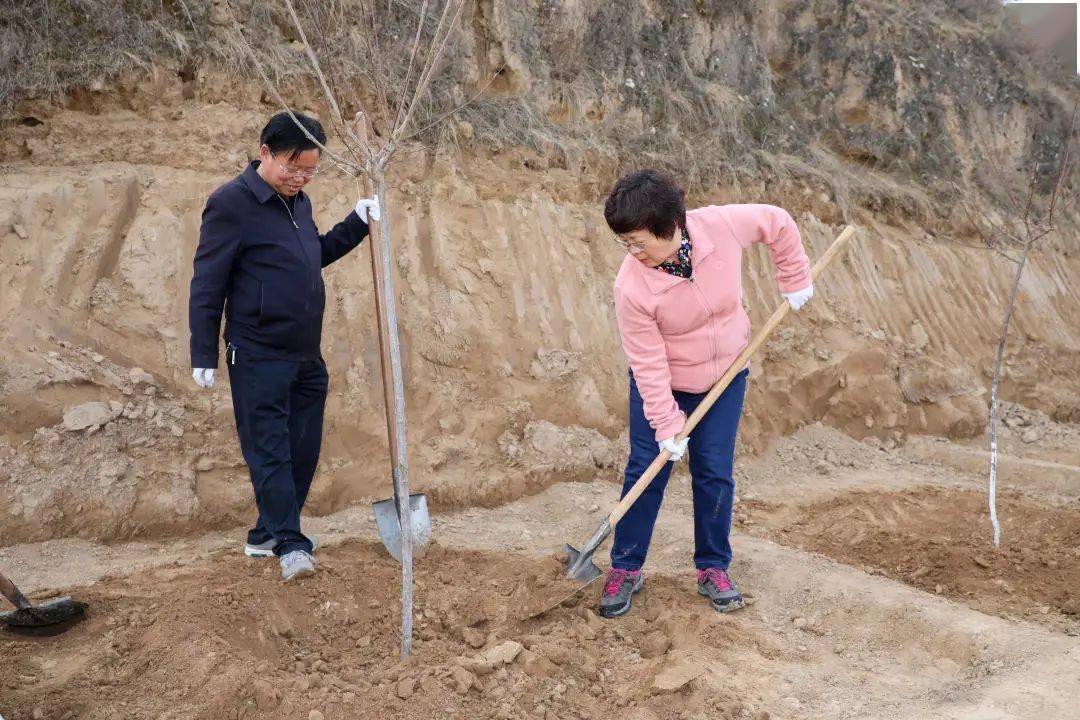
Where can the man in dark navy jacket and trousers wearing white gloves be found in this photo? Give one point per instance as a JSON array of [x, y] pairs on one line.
[[261, 260]]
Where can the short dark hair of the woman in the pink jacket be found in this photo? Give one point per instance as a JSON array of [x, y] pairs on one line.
[[649, 200]]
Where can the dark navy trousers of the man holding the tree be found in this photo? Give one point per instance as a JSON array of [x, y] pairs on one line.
[[279, 409]]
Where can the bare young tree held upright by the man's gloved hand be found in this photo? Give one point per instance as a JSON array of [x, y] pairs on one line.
[[361, 42]]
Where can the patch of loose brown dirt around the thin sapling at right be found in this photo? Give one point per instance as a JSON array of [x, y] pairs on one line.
[[939, 540]]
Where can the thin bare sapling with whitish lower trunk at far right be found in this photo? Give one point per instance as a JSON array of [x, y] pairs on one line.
[[1030, 210]]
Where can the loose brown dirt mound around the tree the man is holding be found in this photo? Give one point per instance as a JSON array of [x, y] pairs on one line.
[[227, 640]]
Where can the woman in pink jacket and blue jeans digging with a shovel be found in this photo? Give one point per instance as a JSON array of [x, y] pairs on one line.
[[679, 303]]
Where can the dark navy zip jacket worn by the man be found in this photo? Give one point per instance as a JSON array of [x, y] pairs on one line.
[[264, 267]]
